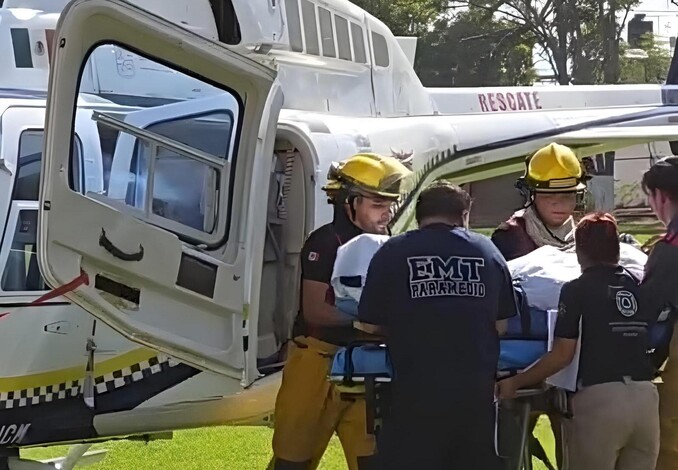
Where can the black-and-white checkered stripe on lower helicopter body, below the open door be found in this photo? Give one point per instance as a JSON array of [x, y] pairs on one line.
[[74, 388]]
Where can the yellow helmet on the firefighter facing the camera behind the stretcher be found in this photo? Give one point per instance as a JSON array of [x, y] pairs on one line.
[[554, 169]]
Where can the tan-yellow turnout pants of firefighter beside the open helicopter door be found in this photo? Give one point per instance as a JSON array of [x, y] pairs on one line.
[[309, 410]]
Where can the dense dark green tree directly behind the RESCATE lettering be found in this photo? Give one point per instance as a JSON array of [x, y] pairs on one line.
[[475, 49]]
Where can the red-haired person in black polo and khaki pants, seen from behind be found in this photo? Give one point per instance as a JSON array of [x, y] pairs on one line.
[[615, 423]]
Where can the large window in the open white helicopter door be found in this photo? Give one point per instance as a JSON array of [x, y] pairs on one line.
[[168, 159]]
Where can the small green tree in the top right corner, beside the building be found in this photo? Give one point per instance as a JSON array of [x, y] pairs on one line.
[[650, 69]]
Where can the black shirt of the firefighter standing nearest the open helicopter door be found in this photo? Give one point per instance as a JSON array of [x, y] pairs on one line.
[[317, 262]]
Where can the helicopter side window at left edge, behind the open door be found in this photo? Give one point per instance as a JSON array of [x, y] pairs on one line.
[[18, 253]]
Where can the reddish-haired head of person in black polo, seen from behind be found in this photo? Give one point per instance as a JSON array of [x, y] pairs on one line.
[[597, 240]]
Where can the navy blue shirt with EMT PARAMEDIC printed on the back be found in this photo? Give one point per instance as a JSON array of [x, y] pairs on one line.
[[438, 291]]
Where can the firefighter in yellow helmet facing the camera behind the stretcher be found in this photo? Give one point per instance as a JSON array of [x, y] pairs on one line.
[[553, 181]]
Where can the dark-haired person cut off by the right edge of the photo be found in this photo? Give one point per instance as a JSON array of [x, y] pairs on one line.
[[659, 291]]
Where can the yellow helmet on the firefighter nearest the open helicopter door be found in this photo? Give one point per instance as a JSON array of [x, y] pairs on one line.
[[368, 173]]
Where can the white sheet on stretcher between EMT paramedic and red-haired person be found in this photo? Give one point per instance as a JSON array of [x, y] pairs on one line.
[[542, 274]]
